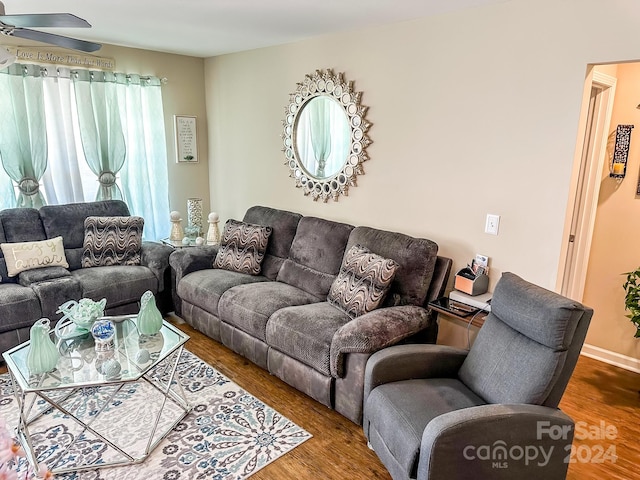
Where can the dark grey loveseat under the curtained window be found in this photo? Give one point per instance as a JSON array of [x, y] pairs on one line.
[[36, 293]]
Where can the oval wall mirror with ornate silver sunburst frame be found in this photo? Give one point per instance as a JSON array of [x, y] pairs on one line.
[[325, 135]]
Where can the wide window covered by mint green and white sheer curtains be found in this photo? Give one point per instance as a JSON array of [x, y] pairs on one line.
[[77, 135]]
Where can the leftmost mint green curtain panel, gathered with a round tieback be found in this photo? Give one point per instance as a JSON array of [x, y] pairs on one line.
[[23, 136]]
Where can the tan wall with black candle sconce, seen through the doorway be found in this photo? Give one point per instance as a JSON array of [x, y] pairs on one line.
[[614, 247]]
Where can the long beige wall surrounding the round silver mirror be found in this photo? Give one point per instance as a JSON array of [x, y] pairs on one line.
[[473, 113]]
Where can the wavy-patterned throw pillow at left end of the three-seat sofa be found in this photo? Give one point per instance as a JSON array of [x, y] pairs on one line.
[[242, 247]]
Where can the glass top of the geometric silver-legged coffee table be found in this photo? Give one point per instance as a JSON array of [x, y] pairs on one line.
[[81, 364]]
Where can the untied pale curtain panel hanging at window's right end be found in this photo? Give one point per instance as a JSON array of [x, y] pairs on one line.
[[144, 176]]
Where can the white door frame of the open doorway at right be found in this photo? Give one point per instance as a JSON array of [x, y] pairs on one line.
[[572, 274]]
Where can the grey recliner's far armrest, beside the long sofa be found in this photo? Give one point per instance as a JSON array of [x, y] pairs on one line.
[[403, 362]]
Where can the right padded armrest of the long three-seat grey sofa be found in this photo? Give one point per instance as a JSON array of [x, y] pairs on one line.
[[375, 330]]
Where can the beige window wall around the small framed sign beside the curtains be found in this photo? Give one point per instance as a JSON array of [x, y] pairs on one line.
[[183, 94]]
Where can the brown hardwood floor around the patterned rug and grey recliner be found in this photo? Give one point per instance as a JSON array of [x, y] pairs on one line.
[[596, 393]]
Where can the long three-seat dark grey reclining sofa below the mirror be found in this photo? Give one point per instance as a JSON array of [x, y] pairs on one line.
[[280, 319]]
